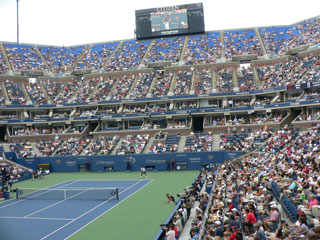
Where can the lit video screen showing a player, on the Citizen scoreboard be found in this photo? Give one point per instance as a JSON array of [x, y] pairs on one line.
[[169, 20]]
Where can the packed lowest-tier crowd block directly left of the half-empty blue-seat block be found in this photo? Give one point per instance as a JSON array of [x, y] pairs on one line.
[[133, 144]]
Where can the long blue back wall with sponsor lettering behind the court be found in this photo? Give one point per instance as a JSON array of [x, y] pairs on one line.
[[192, 161]]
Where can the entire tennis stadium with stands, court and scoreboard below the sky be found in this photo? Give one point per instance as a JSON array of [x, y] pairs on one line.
[[227, 122]]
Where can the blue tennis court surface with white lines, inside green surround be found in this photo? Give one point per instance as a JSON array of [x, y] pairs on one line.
[[22, 219]]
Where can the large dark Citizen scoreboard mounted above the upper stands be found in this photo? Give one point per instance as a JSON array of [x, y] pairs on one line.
[[171, 20]]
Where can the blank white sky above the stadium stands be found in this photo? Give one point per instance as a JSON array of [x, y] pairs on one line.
[[75, 22]]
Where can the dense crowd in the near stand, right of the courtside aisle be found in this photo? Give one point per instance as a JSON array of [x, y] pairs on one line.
[[246, 201]]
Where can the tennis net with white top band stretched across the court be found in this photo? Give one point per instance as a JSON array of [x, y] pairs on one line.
[[100, 194]]
